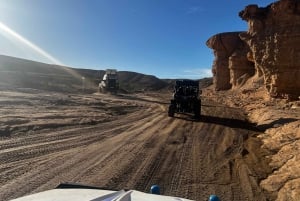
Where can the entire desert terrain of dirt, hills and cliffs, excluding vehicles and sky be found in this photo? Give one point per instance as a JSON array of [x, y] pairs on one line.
[[55, 127]]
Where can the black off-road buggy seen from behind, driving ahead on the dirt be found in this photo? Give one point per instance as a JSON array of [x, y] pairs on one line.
[[185, 98]]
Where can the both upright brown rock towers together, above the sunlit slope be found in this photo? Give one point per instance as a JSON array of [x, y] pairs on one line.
[[273, 49]]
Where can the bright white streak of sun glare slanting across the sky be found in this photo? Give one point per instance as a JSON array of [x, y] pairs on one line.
[[7, 30]]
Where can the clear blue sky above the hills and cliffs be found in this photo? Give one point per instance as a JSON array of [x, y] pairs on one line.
[[165, 38]]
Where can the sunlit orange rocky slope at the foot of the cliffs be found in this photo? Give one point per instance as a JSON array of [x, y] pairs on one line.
[[279, 120]]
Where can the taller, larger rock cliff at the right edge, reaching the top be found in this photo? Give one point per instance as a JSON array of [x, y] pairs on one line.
[[274, 39]]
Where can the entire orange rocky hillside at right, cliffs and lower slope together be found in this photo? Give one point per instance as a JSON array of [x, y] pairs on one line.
[[259, 71]]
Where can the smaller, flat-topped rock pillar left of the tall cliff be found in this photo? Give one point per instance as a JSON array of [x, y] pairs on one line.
[[231, 63]]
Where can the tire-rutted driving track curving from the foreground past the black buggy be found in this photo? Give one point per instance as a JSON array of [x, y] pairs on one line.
[[186, 158]]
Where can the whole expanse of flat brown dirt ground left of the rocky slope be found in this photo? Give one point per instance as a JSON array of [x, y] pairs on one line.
[[127, 142]]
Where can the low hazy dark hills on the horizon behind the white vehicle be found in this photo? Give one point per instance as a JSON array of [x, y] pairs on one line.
[[22, 73]]
